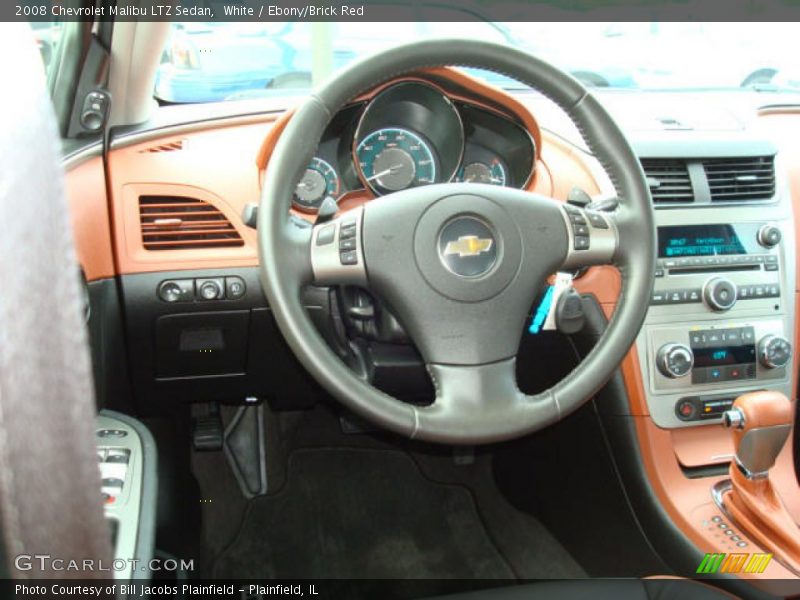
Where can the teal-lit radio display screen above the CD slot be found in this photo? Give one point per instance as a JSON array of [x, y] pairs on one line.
[[714, 239]]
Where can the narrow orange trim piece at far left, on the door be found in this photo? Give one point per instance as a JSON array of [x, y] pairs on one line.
[[86, 194]]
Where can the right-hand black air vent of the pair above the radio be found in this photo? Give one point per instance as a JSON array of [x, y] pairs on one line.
[[740, 179]]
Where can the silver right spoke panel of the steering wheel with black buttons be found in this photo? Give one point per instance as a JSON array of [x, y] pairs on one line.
[[593, 237]]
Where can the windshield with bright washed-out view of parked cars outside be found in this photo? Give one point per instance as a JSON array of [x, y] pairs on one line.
[[211, 62]]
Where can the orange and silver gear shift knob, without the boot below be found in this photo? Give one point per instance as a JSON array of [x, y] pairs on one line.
[[761, 422]]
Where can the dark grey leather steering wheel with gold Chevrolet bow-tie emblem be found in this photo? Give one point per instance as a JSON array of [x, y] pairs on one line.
[[458, 264]]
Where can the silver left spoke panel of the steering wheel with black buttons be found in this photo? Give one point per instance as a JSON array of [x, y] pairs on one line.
[[337, 253]]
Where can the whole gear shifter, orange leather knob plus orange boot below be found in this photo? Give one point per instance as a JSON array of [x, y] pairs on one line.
[[761, 423]]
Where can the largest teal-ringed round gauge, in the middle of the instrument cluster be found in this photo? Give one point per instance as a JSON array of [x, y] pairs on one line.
[[394, 159]]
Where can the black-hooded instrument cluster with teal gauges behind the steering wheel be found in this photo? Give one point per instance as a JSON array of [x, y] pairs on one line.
[[412, 134]]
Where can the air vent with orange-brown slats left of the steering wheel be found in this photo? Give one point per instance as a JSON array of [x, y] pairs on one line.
[[176, 222]]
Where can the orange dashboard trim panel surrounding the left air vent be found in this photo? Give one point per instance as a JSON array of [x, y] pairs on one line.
[[213, 165]]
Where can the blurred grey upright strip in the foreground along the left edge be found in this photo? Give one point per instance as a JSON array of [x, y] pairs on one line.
[[50, 500]]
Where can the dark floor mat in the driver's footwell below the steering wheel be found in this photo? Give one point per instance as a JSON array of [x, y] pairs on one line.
[[347, 513]]
